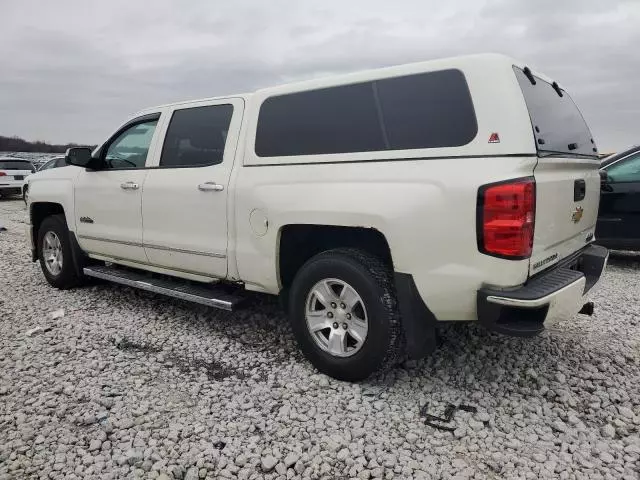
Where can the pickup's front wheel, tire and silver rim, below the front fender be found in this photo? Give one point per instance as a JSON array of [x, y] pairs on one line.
[[54, 250]]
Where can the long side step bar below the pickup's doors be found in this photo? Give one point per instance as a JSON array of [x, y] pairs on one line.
[[212, 296]]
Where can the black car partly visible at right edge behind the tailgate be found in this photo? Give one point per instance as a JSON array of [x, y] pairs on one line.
[[619, 216]]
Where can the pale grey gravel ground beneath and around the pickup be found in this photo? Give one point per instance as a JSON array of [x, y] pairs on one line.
[[130, 385]]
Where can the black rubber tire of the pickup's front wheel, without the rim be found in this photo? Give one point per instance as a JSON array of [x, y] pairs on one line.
[[67, 277]]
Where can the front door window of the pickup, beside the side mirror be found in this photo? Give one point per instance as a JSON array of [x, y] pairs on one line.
[[130, 148]]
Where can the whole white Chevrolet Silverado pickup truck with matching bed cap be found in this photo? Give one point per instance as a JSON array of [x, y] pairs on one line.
[[376, 204]]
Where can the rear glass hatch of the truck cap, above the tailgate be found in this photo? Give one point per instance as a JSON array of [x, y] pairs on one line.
[[558, 125]]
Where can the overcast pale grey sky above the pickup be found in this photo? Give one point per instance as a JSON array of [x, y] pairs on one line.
[[72, 71]]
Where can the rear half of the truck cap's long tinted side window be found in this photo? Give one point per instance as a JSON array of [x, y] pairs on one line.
[[427, 111]]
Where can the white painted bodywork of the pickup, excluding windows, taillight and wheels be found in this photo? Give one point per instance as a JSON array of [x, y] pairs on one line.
[[224, 222]]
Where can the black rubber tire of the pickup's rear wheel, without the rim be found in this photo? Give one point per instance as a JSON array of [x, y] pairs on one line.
[[384, 344]]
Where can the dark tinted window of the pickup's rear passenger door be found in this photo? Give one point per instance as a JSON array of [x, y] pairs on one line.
[[196, 136]]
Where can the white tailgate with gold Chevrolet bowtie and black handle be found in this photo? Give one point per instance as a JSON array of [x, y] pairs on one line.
[[567, 199]]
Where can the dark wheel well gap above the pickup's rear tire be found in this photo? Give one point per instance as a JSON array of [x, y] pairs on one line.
[[298, 243]]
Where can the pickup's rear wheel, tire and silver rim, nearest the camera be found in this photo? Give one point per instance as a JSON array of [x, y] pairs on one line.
[[344, 314]]
